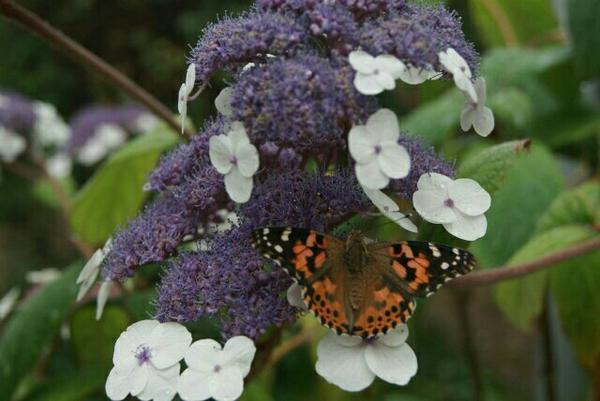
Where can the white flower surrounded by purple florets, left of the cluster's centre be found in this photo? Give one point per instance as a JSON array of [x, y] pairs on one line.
[[235, 157]]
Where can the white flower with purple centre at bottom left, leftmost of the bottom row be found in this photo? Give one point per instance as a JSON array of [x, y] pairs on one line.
[[146, 359]]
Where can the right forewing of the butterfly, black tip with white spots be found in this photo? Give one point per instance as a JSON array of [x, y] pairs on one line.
[[421, 268]]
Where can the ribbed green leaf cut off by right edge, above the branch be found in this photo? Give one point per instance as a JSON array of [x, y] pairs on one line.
[[577, 206]]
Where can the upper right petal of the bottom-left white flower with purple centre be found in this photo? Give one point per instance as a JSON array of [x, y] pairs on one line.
[[169, 344]]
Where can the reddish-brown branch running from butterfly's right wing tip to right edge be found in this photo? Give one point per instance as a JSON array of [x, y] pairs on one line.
[[494, 275]]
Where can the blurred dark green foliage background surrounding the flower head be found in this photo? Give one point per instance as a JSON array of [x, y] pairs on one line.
[[536, 338]]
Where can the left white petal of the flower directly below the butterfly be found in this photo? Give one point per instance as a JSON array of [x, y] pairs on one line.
[[341, 361]]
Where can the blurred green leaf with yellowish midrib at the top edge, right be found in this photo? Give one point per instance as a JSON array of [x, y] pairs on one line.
[[508, 22]]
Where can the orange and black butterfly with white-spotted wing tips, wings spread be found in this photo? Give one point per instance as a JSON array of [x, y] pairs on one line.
[[357, 286]]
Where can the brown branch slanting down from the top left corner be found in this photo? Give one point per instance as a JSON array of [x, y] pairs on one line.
[[34, 23]]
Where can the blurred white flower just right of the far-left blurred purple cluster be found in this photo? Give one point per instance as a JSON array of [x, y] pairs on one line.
[[49, 129]]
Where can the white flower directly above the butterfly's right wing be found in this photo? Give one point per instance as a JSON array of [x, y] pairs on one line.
[[457, 204]]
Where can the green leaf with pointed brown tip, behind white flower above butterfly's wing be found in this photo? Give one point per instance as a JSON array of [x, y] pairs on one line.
[[490, 166]]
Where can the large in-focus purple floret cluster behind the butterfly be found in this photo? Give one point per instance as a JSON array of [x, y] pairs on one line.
[[292, 89]]
